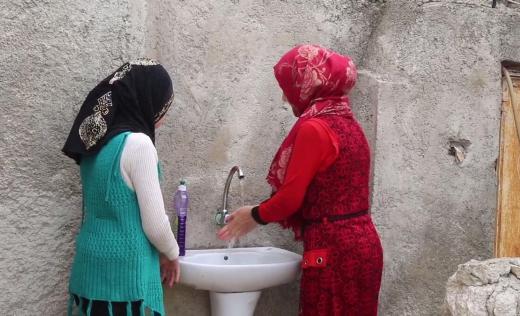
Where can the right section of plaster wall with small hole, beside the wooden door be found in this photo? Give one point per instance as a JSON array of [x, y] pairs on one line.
[[437, 66]]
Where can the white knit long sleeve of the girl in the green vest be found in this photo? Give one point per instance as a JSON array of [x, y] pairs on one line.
[[139, 169]]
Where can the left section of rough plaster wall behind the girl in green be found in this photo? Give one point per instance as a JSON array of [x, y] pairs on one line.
[[52, 53]]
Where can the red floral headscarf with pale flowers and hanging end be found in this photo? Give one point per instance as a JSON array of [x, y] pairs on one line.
[[315, 81]]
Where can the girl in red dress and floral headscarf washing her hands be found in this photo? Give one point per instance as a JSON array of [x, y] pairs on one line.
[[320, 180]]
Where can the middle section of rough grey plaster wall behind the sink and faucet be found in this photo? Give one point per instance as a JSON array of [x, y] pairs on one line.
[[228, 107]]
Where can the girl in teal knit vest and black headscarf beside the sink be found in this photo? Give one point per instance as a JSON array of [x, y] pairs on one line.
[[125, 248]]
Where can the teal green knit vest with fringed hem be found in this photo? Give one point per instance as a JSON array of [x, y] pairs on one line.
[[114, 260]]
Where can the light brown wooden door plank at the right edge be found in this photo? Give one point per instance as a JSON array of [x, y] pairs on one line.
[[507, 243]]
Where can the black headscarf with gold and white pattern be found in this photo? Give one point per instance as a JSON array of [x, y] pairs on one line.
[[133, 98]]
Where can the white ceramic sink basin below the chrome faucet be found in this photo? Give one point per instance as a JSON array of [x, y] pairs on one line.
[[239, 269]]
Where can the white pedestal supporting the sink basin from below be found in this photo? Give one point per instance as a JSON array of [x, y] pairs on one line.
[[233, 304]]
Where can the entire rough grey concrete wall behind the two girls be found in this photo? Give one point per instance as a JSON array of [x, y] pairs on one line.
[[429, 74]]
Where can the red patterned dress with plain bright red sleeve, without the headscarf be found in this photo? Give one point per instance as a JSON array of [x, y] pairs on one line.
[[349, 283]]
